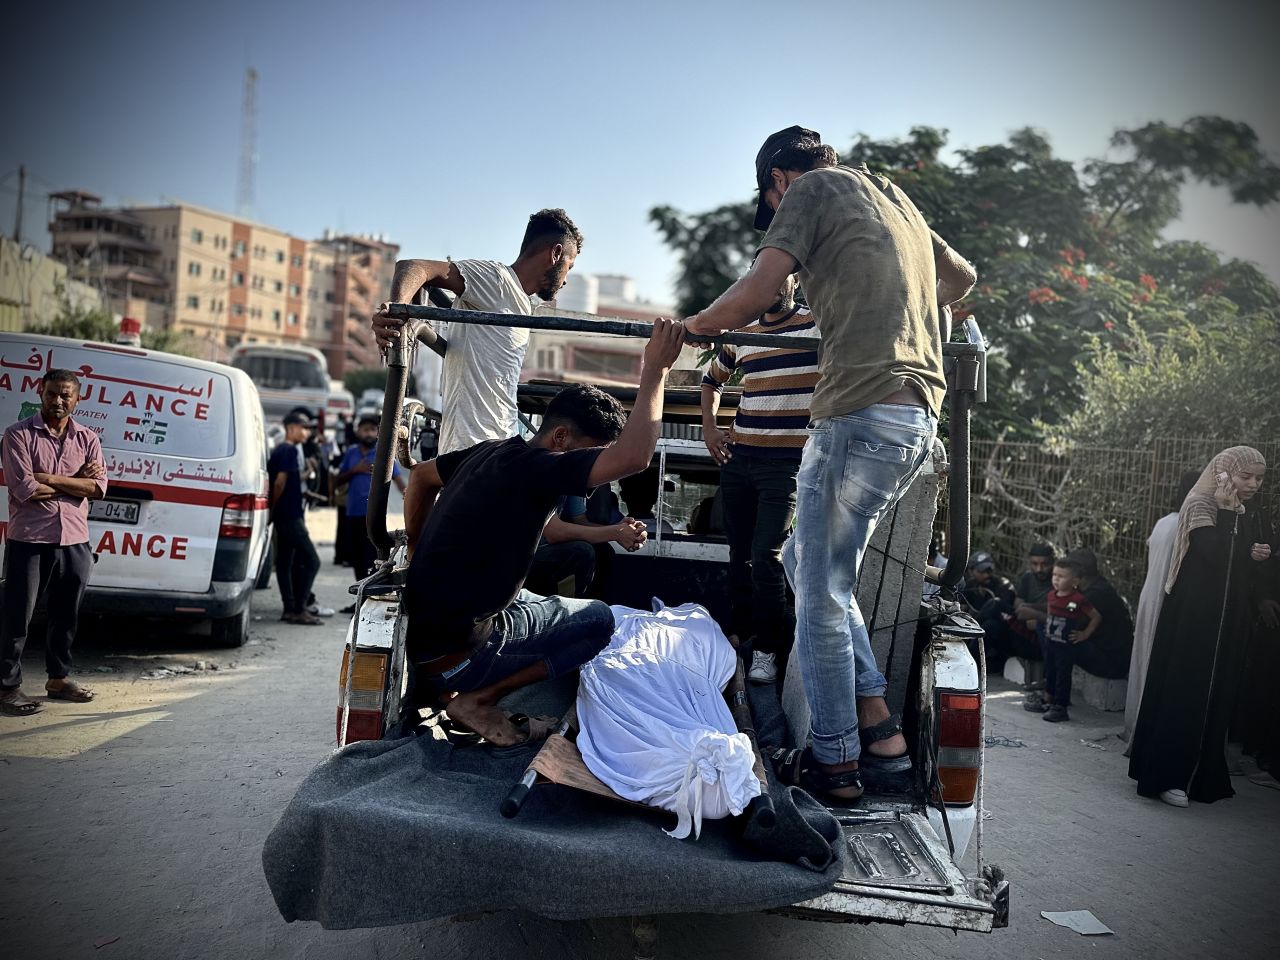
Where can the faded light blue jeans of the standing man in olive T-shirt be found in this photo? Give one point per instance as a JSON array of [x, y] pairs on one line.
[[856, 468]]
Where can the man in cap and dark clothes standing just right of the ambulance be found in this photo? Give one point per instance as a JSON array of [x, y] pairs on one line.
[[296, 560]]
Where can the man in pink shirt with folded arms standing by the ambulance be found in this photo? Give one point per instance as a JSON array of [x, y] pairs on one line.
[[53, 468]]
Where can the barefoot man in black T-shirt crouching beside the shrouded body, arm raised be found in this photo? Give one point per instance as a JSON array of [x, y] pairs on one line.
[[476, 518]]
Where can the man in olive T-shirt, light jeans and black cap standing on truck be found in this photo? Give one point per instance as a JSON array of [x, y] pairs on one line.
[[876, 278]]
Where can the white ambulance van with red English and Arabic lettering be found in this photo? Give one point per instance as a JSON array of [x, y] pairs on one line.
[[184, 531]]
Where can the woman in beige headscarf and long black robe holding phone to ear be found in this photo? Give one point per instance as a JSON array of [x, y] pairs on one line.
[[1180, 744]]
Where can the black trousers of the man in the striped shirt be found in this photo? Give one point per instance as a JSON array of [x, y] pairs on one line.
[[760, 496]]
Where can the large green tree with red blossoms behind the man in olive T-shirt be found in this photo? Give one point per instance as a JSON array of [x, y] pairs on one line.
[[1064, 255]]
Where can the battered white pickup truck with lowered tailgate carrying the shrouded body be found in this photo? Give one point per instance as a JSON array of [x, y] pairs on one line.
[[904, 852]]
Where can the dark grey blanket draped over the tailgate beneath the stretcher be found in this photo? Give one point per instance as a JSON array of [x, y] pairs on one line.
[[404, 831]]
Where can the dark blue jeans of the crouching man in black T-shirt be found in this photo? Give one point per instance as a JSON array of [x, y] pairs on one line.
[[563, 633]]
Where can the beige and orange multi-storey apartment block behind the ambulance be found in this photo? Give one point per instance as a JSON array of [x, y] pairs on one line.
[[227, 281]]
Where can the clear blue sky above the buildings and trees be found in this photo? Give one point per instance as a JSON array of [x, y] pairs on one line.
[[445, 125]]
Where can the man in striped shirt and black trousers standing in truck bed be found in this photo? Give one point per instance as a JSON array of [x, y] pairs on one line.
[[760, 456]]
